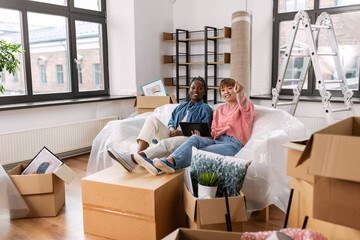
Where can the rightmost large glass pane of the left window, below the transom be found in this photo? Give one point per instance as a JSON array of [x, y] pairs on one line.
[[88, 42]]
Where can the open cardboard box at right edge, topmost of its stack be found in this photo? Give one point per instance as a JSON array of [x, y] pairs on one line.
[[333, 156]]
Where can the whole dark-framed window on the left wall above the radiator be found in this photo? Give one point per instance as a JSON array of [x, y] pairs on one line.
[[61, 38]]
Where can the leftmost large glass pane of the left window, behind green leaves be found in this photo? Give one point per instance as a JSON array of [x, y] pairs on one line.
[[10, 31]]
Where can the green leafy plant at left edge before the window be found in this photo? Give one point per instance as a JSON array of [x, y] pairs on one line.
[[8, 60]]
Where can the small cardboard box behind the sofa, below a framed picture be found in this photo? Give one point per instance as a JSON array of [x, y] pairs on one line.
[[149, 103]]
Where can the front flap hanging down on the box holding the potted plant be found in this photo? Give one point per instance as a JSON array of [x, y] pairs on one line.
[[212, 211]]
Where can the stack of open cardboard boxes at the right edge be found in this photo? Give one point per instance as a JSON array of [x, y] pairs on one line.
[[326, 181]]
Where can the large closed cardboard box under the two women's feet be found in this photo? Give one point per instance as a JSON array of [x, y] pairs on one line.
[[122, 205]]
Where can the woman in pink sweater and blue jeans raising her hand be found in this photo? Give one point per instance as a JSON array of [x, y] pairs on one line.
[[230, 130]]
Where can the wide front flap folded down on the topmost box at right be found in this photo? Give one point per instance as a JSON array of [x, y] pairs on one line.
[[335, 156]]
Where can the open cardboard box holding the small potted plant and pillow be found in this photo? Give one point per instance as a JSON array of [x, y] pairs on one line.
[[209, 213]]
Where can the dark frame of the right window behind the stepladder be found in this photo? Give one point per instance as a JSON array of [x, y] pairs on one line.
[[313, 14]]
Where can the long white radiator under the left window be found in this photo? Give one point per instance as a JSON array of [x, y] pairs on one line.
[[67, 138]]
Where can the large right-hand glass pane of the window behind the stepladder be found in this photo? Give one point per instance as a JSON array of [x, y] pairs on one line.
[[348, 38]]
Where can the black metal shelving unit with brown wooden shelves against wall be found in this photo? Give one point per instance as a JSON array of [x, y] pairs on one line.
[[184, 60]]
